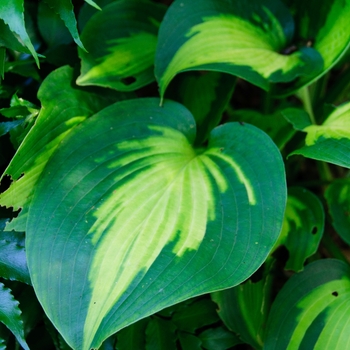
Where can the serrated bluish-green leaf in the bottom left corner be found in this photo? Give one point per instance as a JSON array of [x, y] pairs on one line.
[[10, 315]]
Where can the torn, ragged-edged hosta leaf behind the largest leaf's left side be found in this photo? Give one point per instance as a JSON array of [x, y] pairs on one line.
[[63, 107]]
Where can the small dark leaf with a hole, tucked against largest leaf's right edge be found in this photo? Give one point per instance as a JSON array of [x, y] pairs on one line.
[[302, 228]]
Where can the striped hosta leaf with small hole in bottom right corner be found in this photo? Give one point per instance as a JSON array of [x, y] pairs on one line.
[[312, 309]]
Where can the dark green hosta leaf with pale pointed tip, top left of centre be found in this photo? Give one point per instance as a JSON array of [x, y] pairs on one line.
[[122, 57]]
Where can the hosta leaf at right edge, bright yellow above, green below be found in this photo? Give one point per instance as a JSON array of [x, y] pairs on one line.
[[330, 141]]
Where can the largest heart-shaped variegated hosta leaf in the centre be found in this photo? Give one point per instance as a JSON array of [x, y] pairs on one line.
[[128, 218]]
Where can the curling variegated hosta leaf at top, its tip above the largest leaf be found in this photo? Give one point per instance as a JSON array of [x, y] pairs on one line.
[[244, 38]]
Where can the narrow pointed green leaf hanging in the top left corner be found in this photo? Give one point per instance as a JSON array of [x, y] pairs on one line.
[[12, 13]]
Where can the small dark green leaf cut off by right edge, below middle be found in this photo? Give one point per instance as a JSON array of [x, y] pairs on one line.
[[338, 200]]
